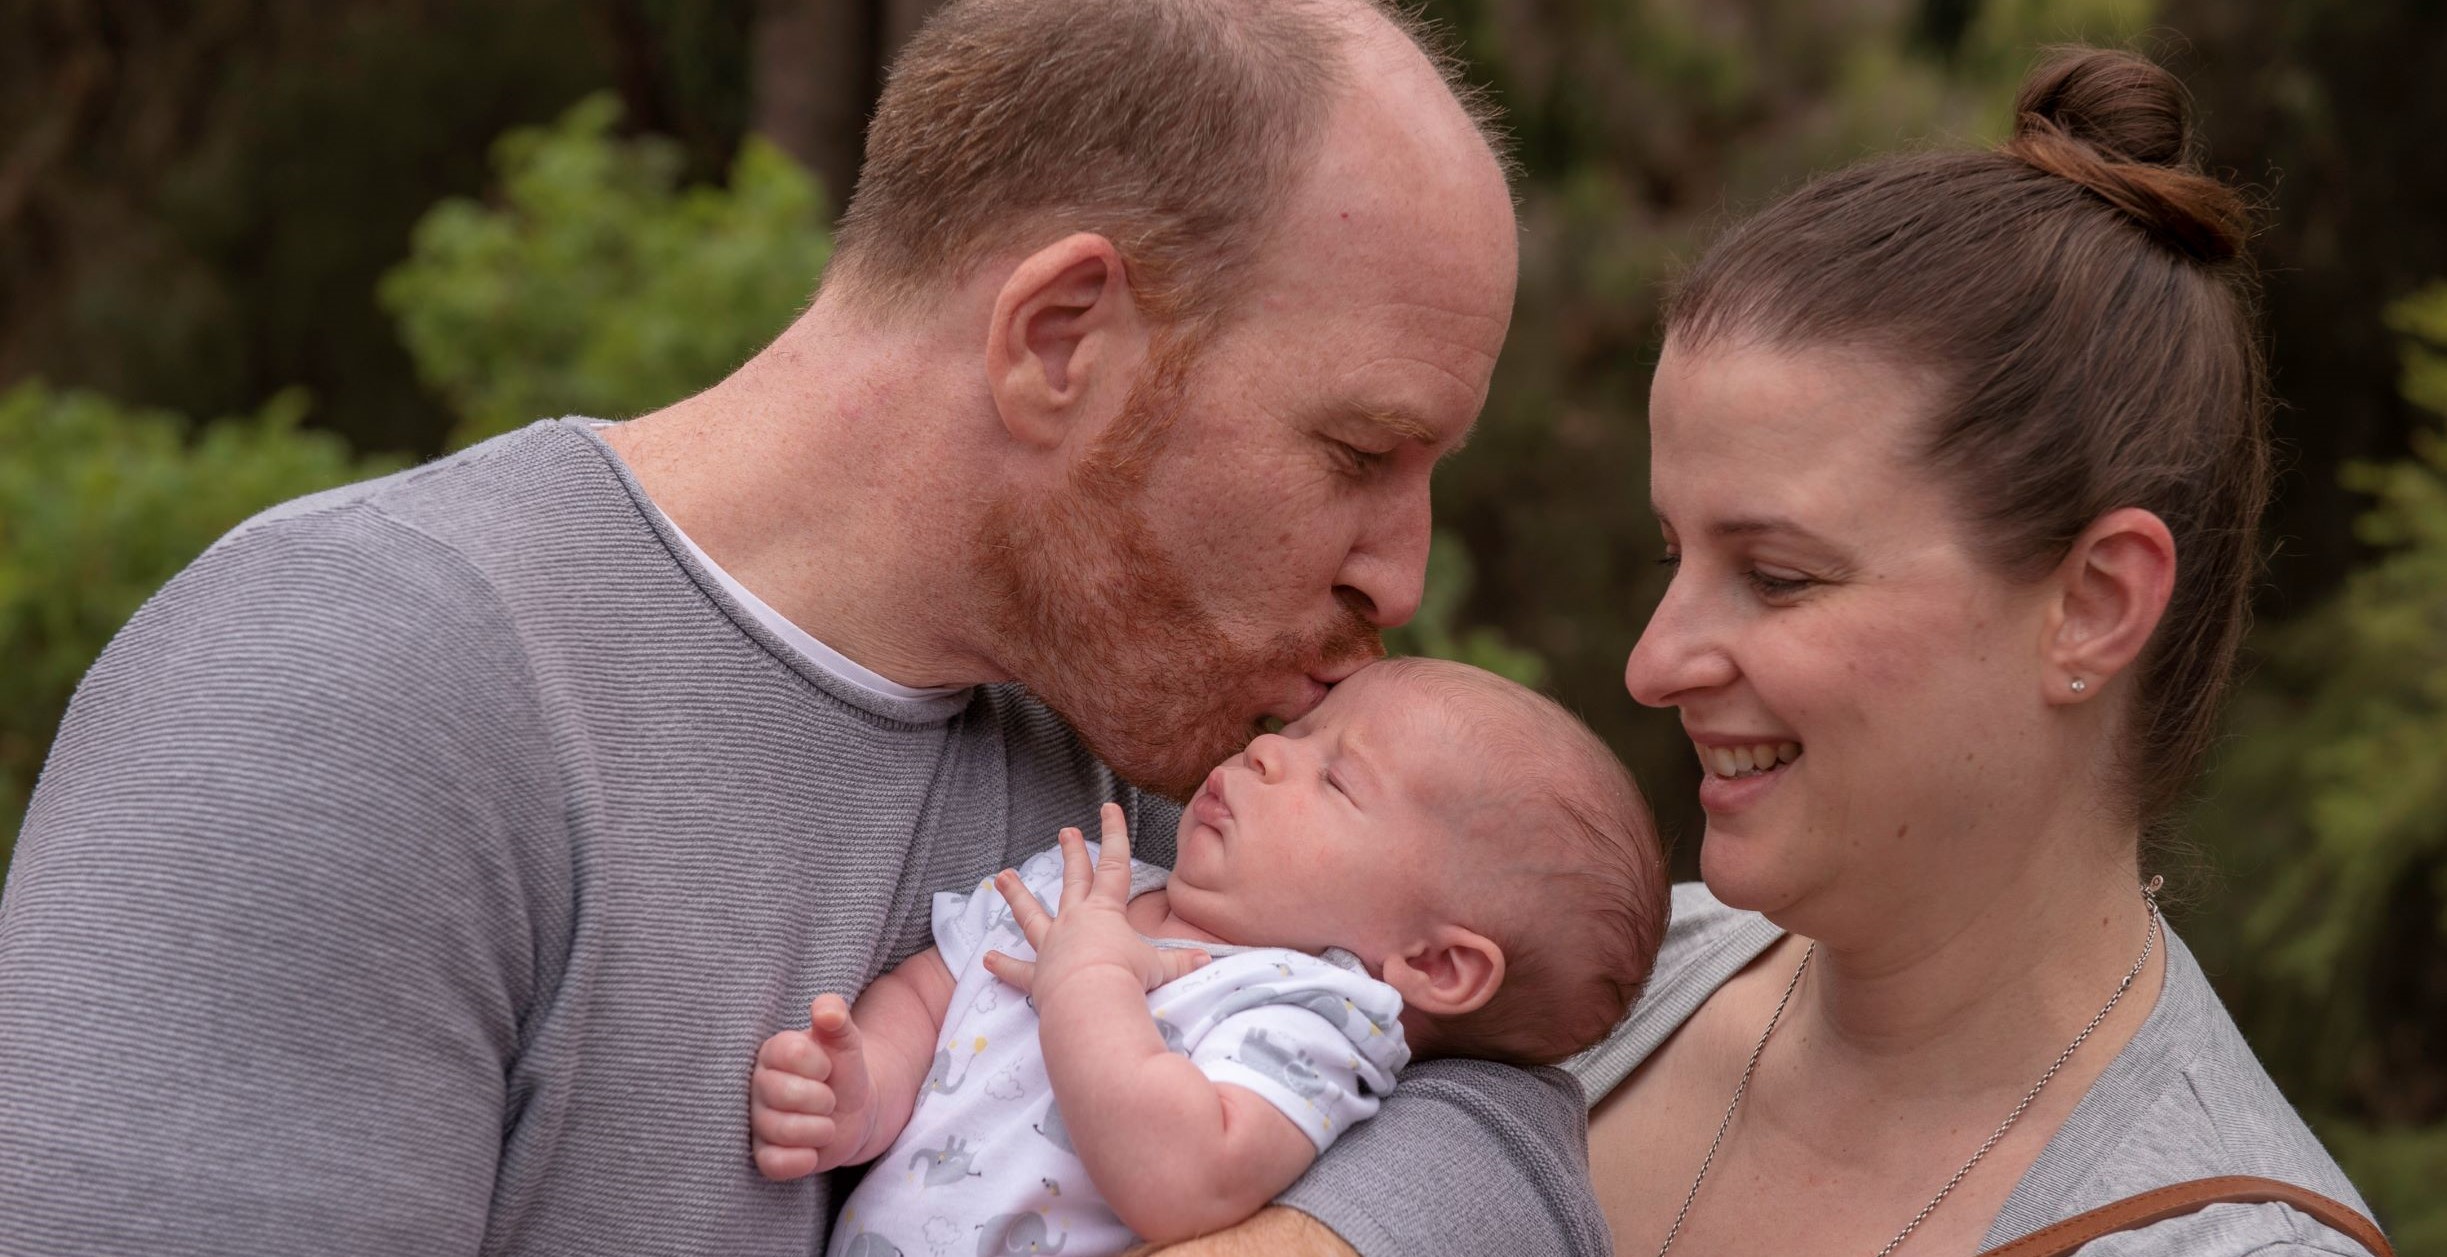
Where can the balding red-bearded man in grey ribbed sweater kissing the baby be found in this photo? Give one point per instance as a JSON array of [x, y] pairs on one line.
[[422, 869]]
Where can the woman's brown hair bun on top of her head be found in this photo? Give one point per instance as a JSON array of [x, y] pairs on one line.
[[2123, 128]]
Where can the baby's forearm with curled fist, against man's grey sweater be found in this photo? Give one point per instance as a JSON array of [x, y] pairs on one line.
[[841, 1092]]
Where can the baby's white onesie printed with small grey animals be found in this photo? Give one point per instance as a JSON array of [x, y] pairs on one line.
[[985, 1165]]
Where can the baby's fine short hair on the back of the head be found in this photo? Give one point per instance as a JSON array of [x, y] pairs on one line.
[[1565, 825]]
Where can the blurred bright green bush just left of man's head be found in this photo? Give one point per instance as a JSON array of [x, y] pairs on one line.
[[598, 285]]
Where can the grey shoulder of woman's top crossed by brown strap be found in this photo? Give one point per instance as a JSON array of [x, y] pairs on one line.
[[2186, 1099]]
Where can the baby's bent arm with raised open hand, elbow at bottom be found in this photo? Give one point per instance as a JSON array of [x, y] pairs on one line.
[[1173, 1151]]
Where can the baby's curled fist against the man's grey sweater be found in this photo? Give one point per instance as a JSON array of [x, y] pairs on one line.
[[811, 1102]]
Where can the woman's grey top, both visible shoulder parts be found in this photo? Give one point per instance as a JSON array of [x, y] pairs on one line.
[[2184, 1102]]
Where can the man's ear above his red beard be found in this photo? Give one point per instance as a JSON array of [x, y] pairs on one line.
[[1066, 331]]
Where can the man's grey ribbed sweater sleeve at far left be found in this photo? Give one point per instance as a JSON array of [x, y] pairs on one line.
[[270, 933]]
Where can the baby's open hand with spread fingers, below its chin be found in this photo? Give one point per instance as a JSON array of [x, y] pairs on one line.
[[1093, 928]]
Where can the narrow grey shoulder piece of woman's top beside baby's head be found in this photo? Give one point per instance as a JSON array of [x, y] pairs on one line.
[[1707, 945]]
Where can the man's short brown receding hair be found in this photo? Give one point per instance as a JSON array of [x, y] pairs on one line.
[[1166, 126]]
